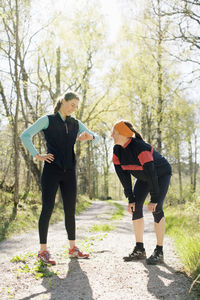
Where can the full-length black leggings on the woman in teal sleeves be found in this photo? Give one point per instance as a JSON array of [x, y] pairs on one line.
[[52, 178]]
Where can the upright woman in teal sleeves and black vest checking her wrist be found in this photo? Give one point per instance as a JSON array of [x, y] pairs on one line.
[[60, 132]]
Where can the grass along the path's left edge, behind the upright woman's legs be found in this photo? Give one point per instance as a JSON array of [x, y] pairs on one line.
[[28, 212]]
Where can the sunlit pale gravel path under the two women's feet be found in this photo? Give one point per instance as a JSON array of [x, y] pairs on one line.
[[104, 276]]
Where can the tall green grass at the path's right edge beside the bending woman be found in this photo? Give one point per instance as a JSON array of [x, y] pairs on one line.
[[183, 225]]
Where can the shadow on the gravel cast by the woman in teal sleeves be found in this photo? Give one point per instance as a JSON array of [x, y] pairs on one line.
[[74, 286]]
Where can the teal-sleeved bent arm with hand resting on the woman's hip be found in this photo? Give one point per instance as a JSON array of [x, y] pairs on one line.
[[26, 136]]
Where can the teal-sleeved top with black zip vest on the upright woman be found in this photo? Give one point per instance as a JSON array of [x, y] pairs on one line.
[[60, 136]]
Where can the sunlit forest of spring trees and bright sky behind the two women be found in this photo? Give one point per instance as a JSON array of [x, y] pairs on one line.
[[134, 60]]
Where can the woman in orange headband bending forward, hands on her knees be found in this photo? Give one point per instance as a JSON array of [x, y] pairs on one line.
[[133, 156]]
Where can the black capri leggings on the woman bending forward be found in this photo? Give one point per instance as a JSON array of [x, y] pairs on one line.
[[140, 192]]
